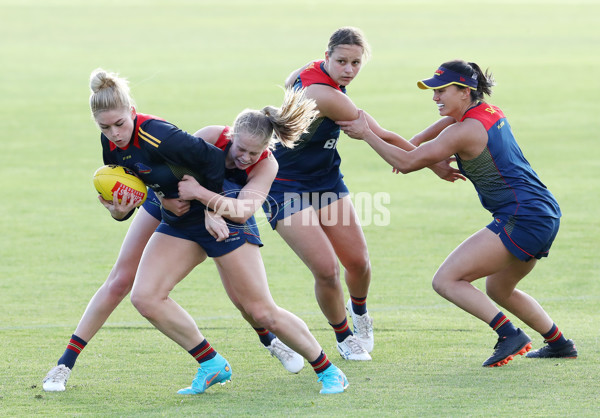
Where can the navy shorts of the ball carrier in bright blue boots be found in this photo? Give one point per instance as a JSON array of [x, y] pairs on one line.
[[238, 235]]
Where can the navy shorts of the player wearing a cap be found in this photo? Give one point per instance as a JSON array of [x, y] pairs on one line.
[[526, 237]]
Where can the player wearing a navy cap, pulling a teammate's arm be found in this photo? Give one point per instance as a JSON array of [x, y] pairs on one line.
[[525, 214]]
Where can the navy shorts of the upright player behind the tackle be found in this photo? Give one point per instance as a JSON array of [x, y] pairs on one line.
[[285, 201]]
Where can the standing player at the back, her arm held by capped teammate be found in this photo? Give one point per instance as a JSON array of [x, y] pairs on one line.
[[310, 207]]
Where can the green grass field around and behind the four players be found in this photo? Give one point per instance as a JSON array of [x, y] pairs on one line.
[[201, 62]]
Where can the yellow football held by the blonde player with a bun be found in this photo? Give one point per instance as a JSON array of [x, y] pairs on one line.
[[115, 178]]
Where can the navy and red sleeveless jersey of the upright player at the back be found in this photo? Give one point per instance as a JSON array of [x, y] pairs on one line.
[[315, 156]]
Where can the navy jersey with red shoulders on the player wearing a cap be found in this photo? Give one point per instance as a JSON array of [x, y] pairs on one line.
[[504, 180]]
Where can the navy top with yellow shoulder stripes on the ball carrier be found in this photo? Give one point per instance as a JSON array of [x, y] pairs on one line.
[[160, 154]]
